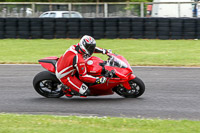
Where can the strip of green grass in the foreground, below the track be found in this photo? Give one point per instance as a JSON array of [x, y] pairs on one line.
[[10, 123]]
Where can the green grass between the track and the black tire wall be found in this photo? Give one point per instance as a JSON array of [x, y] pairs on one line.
[[137, 52]]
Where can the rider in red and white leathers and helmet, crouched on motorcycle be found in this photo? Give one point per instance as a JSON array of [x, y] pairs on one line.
[[72, 61]]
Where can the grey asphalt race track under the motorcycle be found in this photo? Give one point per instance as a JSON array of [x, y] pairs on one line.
[[171, 93]]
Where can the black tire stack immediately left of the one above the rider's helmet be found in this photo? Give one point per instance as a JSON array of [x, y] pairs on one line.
[[73, 27]]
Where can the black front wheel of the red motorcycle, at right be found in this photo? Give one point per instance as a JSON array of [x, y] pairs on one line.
[[137, 89]]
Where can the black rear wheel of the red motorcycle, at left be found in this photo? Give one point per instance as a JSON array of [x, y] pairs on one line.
[[47, 85]]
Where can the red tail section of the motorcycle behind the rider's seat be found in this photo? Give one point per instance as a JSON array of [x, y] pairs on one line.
[[49, 63]]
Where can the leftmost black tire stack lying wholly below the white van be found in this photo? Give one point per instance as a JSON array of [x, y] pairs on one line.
[[163, 29]]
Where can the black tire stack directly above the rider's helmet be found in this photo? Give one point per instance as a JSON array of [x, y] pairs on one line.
[[86, 27]]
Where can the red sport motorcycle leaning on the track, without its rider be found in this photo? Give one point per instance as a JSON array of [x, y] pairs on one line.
[[116, 69]]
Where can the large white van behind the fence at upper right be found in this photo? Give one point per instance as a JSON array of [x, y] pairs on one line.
[[172, 10]]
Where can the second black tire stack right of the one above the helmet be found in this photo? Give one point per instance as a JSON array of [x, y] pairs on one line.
[[111, 28]]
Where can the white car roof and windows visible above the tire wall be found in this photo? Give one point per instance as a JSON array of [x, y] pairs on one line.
[[61, 14]]
